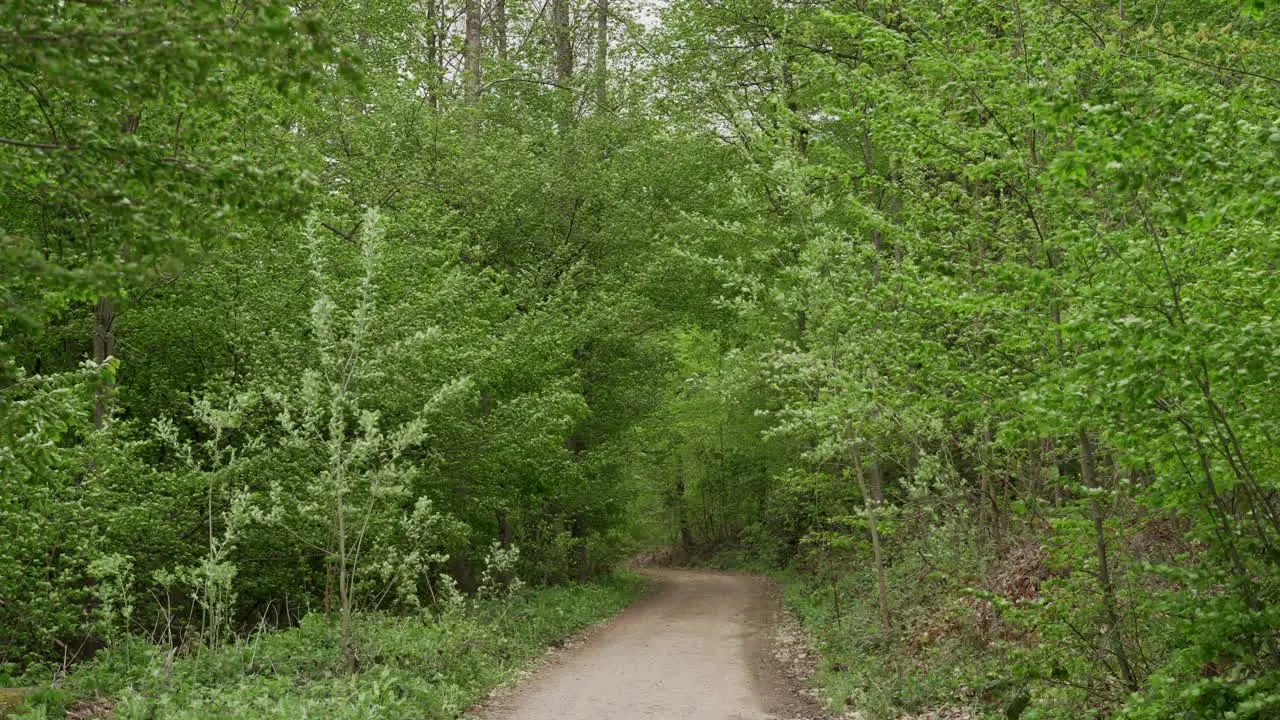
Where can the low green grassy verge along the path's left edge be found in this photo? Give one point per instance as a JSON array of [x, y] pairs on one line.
[[431, 667]]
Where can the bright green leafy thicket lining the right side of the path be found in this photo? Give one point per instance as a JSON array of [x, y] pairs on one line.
[[1005, 289]]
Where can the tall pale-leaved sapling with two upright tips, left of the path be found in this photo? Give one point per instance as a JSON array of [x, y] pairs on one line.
[[365, 466]]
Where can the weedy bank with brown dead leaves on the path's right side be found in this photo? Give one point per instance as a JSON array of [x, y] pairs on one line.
[[976, 635]]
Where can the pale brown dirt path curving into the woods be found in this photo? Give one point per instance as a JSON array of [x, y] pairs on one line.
[[696, 649]]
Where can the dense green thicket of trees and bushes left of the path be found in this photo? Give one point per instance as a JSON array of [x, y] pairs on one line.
[[317, 311]]
